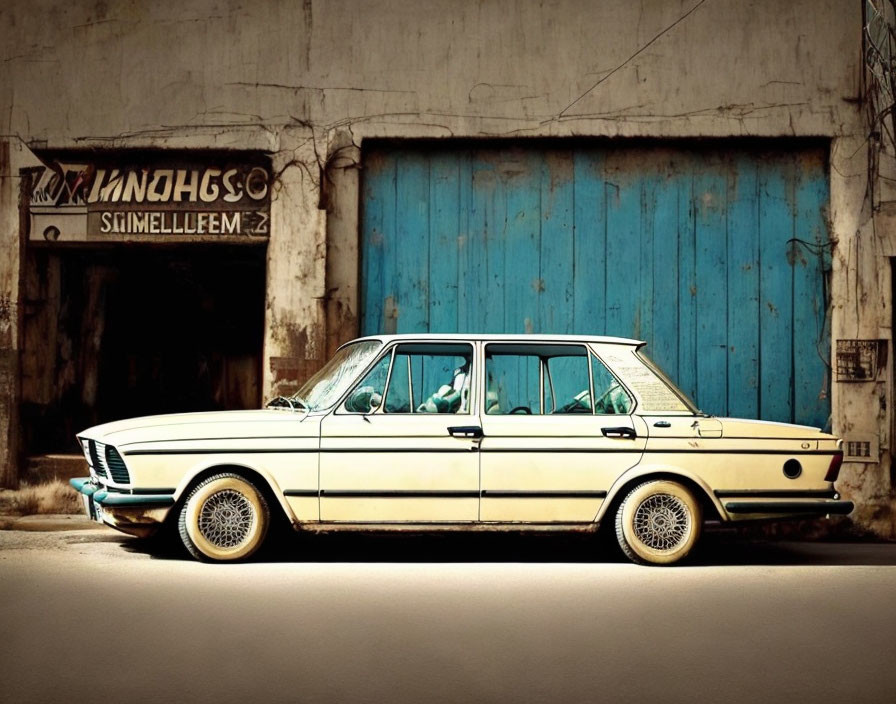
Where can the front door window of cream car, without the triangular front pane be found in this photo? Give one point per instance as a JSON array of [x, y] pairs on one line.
[[430, 378]]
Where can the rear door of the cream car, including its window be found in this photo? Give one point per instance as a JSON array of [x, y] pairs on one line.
[[558, 431]]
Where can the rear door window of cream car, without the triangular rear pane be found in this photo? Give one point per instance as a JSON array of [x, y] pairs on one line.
[[537, 379]]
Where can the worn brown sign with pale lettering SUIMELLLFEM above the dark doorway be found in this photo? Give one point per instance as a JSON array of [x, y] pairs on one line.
[[154, 200]]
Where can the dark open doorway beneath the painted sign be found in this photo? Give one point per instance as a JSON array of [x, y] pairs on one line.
[[114, 333]]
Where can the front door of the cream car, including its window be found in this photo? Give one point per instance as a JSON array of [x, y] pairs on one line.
[[404, 445]]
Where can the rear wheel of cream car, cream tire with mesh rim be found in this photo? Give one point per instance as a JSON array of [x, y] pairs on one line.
[[658, 523]]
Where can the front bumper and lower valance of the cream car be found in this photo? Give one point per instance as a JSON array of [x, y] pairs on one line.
[[135, 514]]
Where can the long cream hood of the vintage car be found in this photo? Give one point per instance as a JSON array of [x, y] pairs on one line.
[[194, 426]]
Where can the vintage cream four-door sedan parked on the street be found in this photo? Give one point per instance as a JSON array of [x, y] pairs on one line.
[[461, 432]]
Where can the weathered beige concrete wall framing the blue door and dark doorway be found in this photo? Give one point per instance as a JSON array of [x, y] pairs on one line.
[[308, 82]]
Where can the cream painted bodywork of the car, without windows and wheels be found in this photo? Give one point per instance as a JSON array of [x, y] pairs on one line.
[[735, 467]]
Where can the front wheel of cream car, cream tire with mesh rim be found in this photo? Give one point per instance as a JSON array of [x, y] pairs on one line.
[[225, 518]]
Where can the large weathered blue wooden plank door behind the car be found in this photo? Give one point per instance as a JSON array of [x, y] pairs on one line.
[[716, 255]]
